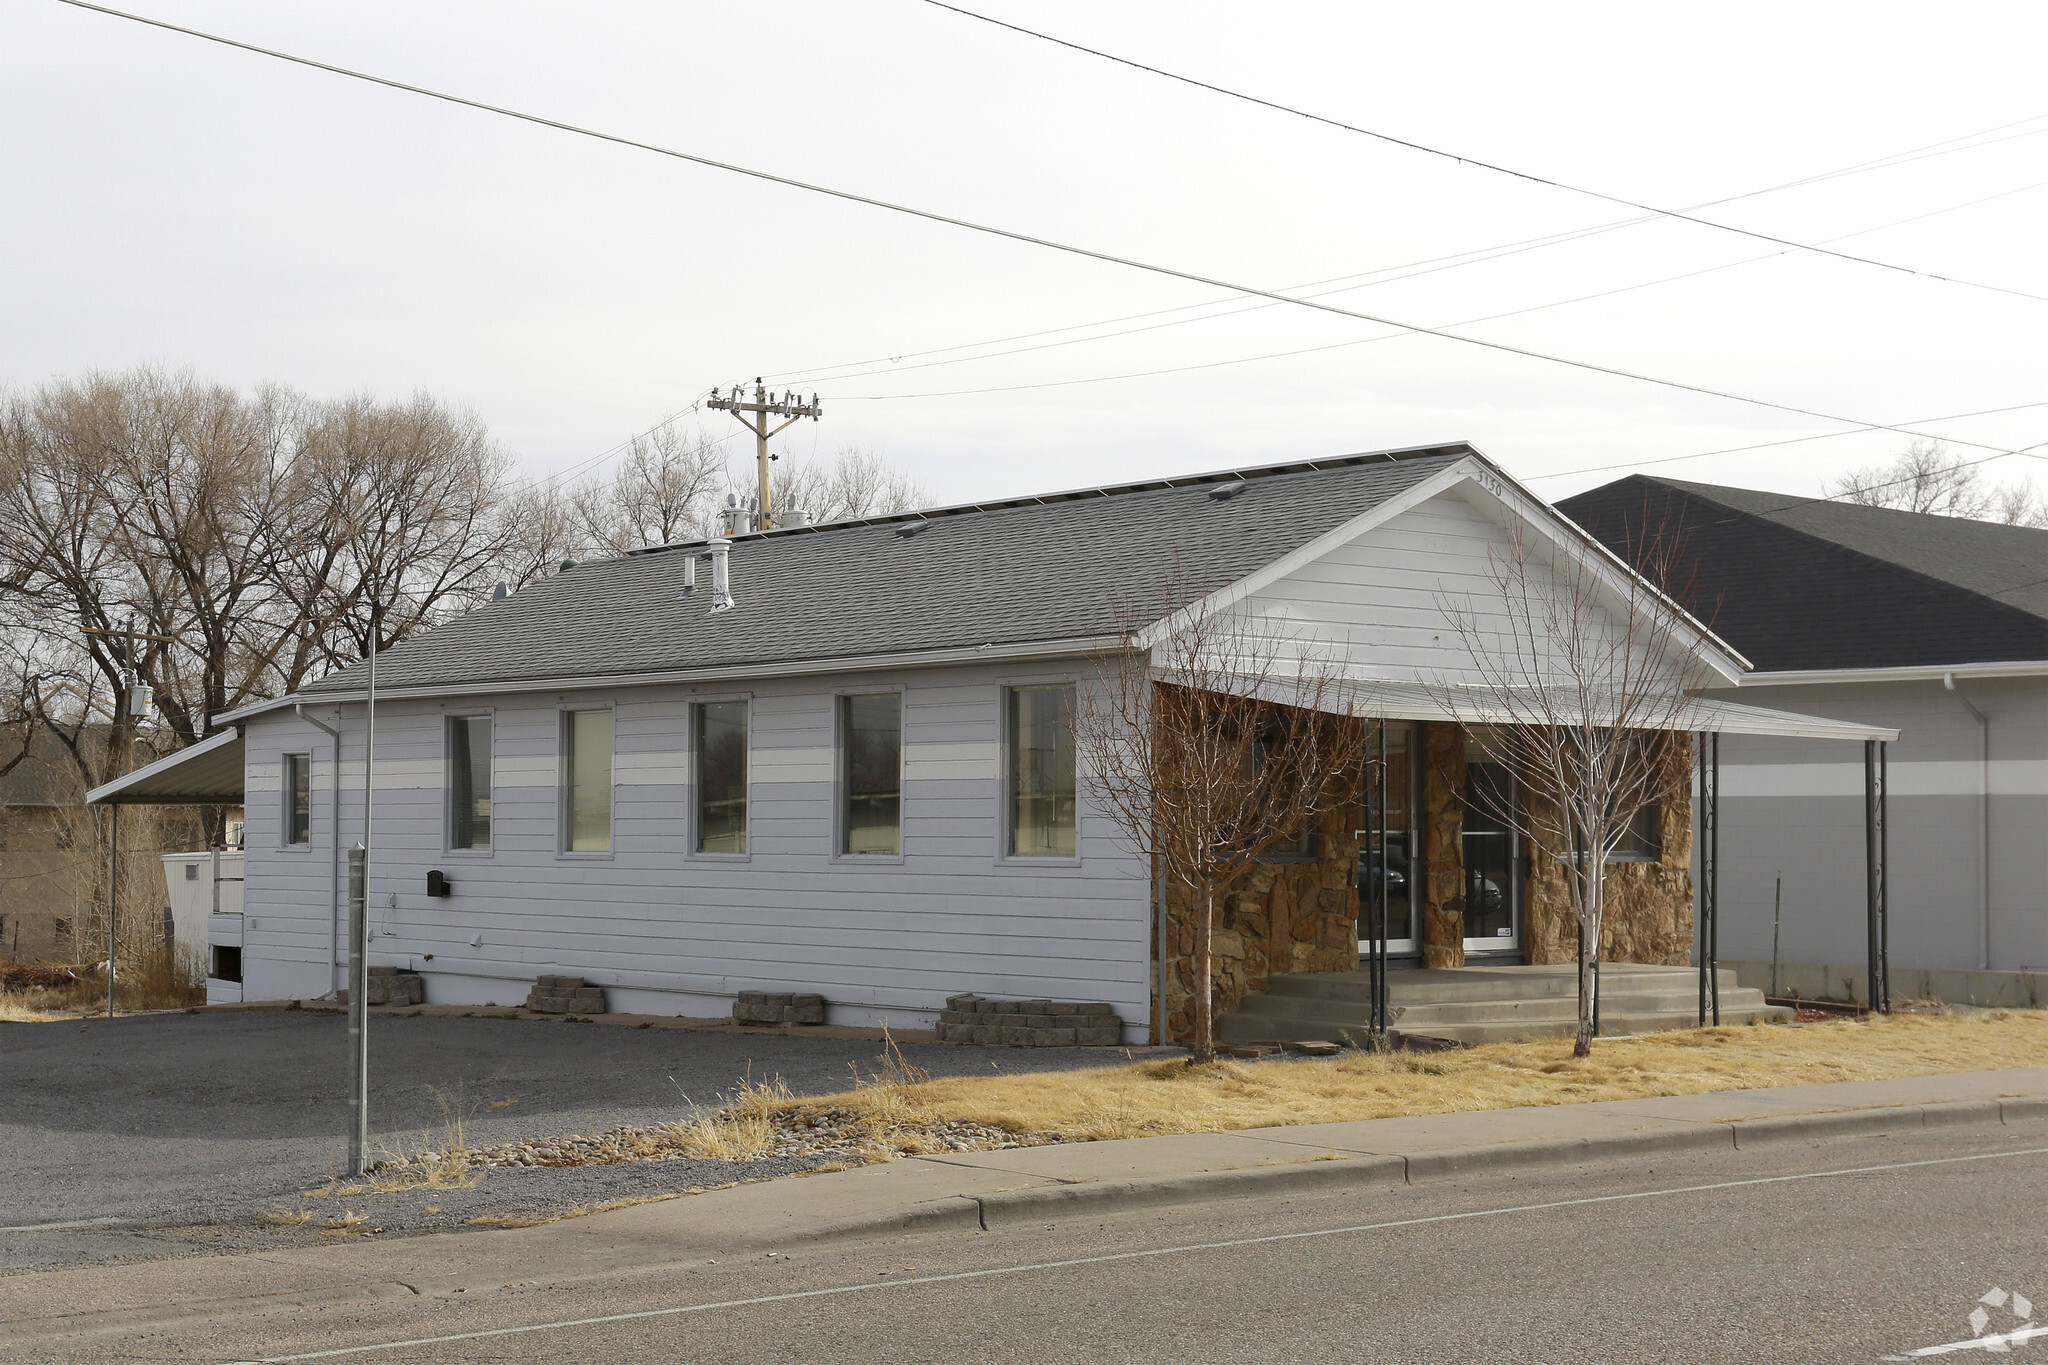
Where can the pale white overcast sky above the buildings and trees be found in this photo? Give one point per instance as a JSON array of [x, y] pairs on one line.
[[175, 202]]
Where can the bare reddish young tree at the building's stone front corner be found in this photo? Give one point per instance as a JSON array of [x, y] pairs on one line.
[[1211, 742]]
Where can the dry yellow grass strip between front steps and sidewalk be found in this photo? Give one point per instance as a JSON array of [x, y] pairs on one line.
[[1175, 1098]]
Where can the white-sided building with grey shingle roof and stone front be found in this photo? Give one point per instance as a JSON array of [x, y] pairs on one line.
[[857, 777]]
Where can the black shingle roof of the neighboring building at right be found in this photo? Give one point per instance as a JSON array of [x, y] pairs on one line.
[[1803, 584]]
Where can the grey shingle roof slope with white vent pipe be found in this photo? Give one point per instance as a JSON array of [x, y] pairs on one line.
[[1058, 568]]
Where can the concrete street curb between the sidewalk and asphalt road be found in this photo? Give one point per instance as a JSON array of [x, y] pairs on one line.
[[1095, 1198]]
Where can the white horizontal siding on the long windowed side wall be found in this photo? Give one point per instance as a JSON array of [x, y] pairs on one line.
[[884, 934]]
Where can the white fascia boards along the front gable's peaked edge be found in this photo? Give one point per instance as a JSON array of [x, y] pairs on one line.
[[1512, 500]]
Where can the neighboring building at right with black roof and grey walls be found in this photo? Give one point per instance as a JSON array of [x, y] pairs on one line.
[[1926, 623]]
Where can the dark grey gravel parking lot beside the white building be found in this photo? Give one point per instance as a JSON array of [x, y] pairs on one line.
[[187, 1131]]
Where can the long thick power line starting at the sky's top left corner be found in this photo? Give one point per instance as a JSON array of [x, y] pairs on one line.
[[931, 216]]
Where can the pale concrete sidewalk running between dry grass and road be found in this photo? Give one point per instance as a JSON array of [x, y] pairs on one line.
[[974, 1192]]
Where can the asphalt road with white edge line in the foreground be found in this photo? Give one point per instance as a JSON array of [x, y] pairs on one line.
[[1879, 1247]]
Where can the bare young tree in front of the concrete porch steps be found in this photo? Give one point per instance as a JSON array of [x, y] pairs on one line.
[[1584, 674]]
